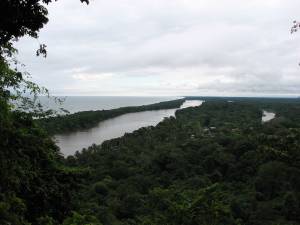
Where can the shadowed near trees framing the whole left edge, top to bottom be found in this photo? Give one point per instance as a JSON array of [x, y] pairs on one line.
[[36, 187]]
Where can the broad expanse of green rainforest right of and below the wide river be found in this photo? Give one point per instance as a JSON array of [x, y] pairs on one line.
[[213, 164]]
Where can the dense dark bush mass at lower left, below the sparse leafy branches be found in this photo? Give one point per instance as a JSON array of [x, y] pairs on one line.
[[33, 180]]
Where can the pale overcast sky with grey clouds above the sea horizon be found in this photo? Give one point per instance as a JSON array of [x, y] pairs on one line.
[[168, 47]]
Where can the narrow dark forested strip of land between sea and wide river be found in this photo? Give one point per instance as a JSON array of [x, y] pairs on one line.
[[89, 119]]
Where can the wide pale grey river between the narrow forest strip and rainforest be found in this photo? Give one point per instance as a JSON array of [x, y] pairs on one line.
[[113, 128]]
